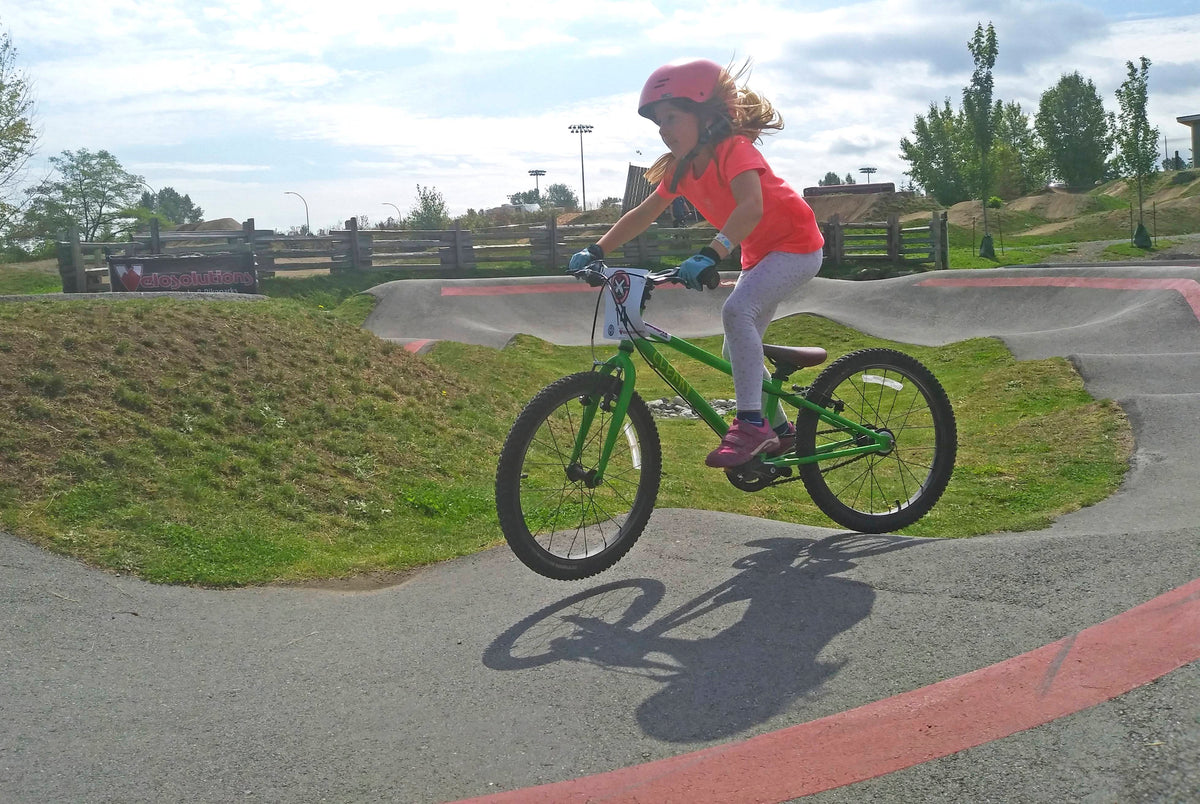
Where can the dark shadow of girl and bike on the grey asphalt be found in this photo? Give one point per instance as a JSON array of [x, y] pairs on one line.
[[721, 674]]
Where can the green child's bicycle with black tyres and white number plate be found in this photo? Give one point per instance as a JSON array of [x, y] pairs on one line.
[[580, 470]]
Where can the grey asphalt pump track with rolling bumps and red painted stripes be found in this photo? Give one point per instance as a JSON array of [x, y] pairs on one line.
[[727, 659]]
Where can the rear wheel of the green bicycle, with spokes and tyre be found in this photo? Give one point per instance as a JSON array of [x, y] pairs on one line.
[[890, 393]]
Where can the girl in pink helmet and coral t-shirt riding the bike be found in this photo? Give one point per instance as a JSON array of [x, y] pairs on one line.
[[710, 124]]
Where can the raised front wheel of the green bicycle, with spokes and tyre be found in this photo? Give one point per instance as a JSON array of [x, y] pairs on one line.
[[556, 518]]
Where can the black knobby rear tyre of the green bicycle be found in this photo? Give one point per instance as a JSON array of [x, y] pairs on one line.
[[945, 442]]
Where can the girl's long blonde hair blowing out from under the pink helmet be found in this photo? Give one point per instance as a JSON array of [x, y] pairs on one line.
[[733, 111]]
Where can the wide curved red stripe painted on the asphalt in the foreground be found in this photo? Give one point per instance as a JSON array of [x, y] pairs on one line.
[[1096, 665]]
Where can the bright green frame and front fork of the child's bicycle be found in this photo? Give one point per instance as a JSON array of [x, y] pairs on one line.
[[861, 440]]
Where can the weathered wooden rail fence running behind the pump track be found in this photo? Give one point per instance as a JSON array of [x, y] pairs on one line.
[[463, 253]]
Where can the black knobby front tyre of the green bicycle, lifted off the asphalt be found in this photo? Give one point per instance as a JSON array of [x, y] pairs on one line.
[[511, 471]]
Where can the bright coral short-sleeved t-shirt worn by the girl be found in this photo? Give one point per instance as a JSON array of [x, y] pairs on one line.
[[788, 221]]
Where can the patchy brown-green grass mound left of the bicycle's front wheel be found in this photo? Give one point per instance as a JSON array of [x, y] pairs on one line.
[[224, 443]]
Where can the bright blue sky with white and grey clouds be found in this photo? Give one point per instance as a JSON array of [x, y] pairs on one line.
[[241, 103]]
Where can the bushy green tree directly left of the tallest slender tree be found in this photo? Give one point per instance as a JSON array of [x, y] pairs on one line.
[[939, 155]]
